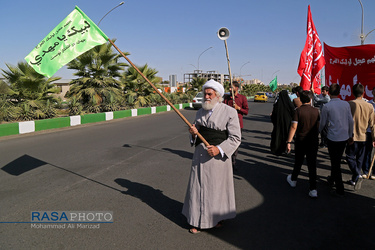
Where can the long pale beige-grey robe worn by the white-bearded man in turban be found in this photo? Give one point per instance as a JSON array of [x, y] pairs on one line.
[[210, 193]]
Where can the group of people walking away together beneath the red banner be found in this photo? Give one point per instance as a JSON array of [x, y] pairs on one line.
[[343, 127]]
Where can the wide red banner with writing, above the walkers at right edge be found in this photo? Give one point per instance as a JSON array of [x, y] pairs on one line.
[[350, 65]]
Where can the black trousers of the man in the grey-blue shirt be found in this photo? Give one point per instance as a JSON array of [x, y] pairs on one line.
[[335, 150]]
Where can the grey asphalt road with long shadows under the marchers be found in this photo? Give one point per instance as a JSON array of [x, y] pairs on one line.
[[139, 167]]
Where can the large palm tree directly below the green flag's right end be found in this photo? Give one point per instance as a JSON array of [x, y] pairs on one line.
[[98, 72]]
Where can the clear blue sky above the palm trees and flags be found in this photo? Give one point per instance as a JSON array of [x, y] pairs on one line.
[[170, 35]]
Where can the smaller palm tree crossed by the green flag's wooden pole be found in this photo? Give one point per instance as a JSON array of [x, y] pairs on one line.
[[138, 92]]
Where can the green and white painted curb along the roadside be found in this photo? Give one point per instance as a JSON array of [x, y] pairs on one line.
[[61, 122]]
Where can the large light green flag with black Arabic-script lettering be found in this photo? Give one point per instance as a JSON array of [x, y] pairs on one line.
[[75, 35]]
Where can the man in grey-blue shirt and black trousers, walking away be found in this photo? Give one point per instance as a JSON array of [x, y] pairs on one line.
[[337, 115]]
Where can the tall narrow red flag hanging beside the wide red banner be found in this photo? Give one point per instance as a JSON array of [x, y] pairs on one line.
[[312, 58]]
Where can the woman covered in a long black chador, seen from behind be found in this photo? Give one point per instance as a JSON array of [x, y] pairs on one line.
[[281, 117]]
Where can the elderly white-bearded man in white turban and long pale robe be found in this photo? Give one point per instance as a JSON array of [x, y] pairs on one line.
[[210, 194]]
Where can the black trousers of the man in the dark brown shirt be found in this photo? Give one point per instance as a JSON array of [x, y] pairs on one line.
[[310, 150]]
